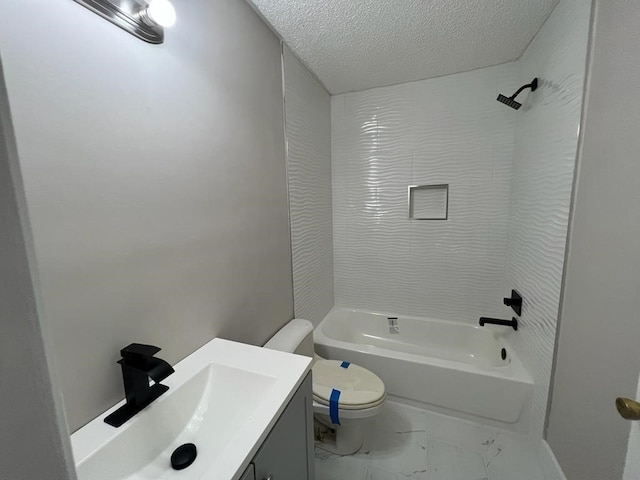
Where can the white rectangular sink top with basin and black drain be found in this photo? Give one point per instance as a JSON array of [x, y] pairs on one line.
[[224, 398]]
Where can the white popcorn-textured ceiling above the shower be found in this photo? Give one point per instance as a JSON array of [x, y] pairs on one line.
[[358, 44]]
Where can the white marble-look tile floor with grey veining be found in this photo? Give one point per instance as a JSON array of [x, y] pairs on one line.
[[404, 442]]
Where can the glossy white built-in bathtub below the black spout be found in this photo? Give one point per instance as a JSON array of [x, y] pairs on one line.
[[454, 366]]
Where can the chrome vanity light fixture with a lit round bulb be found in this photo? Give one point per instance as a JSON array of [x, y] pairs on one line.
[[143, 19]]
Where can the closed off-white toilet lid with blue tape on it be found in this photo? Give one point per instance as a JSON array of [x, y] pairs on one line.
[[358, 386]]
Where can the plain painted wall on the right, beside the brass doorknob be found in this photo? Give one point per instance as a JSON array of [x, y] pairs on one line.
[[598, 357]]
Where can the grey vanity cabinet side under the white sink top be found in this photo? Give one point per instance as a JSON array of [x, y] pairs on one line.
[[287, 453]]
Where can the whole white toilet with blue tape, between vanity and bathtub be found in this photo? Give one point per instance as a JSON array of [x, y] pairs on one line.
[[344, 394]]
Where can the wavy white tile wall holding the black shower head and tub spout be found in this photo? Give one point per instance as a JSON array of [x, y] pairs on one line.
[[543, 169]]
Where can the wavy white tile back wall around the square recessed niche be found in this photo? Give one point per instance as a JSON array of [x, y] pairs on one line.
[[446, 130]]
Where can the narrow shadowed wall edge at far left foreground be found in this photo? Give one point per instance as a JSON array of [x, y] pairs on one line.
[[33, 440]]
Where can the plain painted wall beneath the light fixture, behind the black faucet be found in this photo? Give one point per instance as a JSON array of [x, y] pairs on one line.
[[155, 180]]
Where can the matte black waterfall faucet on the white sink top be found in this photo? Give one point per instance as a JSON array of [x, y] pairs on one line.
[[138, 366]]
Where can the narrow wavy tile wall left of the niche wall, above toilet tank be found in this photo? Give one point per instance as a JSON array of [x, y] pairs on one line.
[[308, 131]]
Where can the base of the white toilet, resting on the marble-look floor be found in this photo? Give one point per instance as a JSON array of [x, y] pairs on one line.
[[343, 439]]
